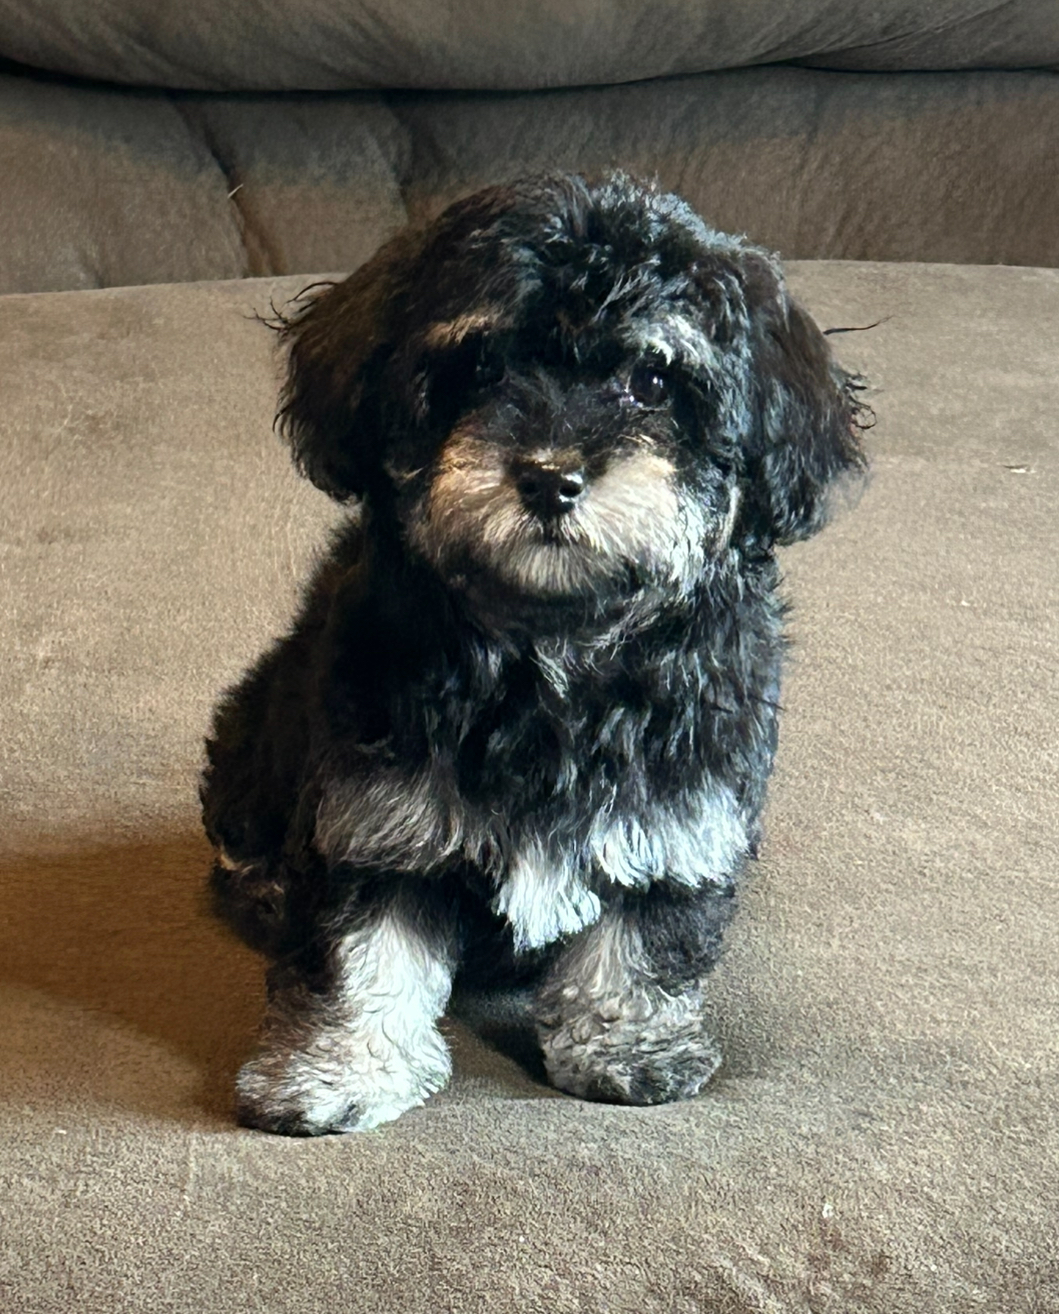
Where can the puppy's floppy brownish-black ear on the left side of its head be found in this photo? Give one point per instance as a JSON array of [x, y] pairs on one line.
[[338, 344]]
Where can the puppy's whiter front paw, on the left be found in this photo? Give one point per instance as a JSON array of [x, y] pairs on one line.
[[346, 1081]]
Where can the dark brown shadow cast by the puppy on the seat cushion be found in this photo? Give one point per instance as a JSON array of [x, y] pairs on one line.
[[123, 932]]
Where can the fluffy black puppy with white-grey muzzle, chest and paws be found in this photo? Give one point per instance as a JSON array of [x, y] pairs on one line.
[[525, 719]]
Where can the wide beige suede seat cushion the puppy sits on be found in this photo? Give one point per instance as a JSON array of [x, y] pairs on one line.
[[884, 1135]]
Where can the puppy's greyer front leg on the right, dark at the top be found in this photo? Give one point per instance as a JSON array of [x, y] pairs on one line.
[[621, 1014]]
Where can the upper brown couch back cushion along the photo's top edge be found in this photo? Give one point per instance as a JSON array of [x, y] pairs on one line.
[[478, 44]]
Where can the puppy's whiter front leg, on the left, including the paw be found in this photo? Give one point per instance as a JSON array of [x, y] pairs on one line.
[[355, 1044]]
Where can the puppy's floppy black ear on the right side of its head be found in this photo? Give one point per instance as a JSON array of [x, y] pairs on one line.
[[806, 422]]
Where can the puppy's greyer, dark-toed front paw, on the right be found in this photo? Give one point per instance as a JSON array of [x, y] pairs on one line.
[[650, 1054]]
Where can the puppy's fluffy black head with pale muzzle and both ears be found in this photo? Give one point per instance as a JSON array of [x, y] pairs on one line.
[[563, 392]]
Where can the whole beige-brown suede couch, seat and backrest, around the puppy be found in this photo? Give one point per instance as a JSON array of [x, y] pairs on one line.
[[884, 1136]]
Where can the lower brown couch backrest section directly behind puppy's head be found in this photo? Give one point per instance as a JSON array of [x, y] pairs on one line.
[[107, 186]]
